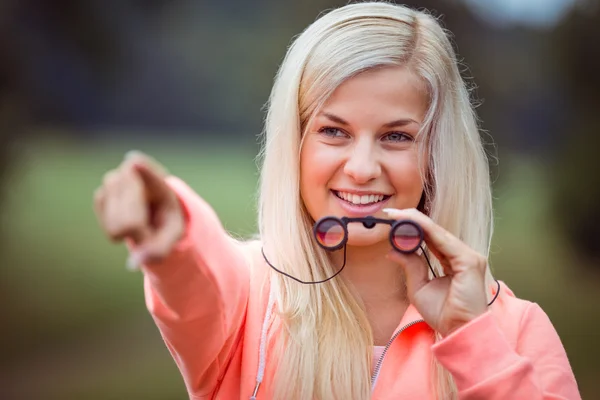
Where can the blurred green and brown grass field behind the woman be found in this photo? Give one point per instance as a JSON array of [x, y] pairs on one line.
[[77, 323]]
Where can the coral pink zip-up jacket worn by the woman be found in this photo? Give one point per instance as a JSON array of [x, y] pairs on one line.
[[210, 300]]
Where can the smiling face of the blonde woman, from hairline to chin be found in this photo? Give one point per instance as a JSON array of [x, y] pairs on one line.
[[359, 154]]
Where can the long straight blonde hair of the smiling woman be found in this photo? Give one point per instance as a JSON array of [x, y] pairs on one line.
[[326, 341]]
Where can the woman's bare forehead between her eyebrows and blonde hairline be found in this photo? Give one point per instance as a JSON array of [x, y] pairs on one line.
[[387, 92]]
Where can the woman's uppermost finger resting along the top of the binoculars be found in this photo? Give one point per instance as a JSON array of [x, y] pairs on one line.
[[439, 240]]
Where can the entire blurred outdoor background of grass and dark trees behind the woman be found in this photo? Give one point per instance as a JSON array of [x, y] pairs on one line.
[[81, 83]]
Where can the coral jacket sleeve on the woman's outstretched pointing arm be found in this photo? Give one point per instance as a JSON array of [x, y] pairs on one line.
[[198, 295]]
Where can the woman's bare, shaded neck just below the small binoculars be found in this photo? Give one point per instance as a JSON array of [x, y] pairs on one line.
[[375, 278]]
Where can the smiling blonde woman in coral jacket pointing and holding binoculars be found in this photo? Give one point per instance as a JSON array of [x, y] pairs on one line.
[[368, 118]]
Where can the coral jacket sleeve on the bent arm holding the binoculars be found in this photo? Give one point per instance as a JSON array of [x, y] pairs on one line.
[[485, 366]]
